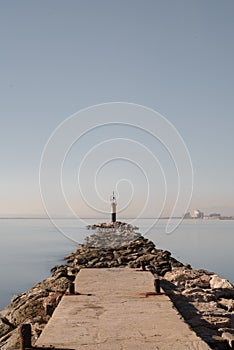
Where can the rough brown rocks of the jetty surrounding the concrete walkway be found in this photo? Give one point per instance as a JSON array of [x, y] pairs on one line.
[[205, 300]]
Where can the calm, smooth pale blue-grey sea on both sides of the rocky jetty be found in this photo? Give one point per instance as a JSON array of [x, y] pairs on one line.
[[29, 248]]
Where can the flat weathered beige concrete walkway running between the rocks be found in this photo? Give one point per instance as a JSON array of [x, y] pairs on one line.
[[112, 312]]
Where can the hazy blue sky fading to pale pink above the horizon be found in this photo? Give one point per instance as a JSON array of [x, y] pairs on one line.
[[59, 57]]
